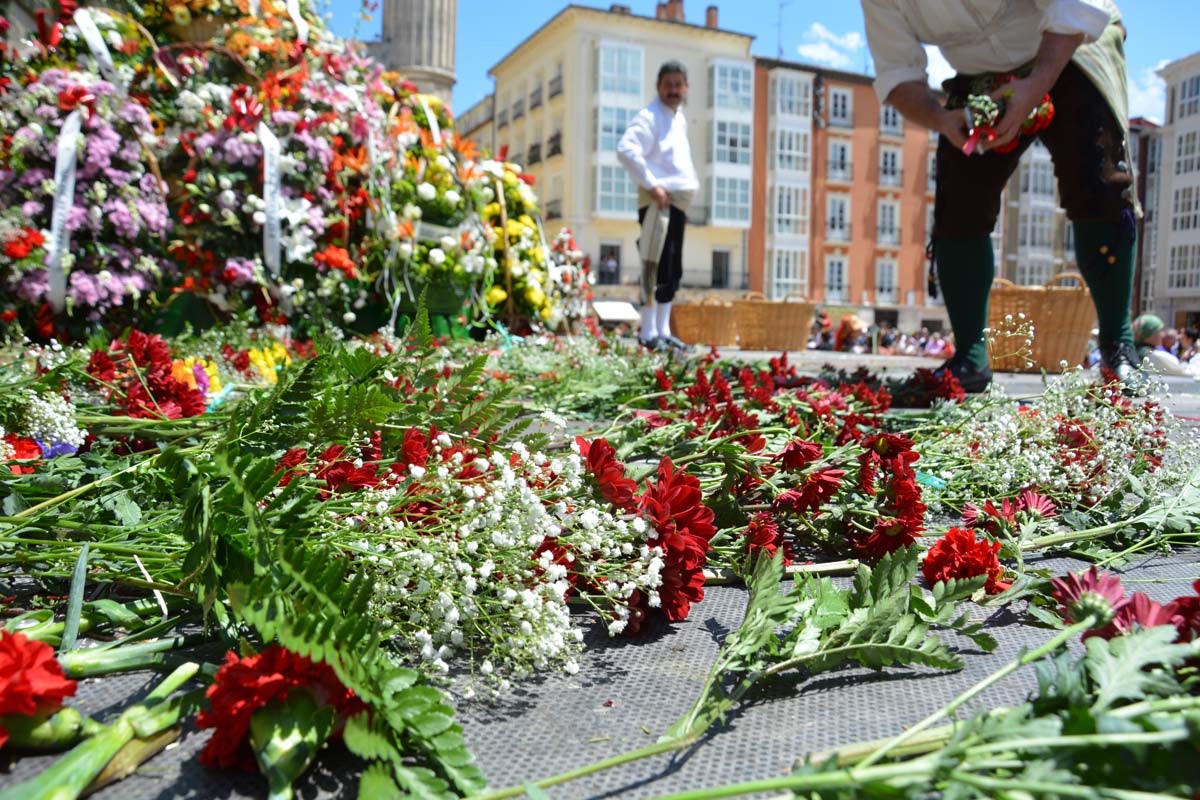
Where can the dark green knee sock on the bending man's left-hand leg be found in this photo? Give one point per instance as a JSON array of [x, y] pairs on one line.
[[967, 267]]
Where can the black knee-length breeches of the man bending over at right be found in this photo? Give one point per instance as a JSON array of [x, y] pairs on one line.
[[1085, 141]]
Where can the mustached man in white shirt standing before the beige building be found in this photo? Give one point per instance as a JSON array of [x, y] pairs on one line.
[[656, 153]]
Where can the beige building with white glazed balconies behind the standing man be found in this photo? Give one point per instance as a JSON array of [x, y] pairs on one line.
[[565, 97]]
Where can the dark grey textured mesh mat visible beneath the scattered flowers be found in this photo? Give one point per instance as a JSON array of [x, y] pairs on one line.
[[628, 693]]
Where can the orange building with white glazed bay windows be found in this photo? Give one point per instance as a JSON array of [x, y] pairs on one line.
[[843, 196]]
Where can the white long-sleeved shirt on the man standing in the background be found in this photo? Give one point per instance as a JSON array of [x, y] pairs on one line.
[[656, 153]]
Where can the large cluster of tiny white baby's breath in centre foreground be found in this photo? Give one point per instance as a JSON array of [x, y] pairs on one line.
[[489, 574]]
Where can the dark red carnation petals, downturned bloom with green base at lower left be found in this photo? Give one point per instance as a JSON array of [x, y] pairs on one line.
[[245, 685]]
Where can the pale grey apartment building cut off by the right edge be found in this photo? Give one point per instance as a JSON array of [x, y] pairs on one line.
[[1175, 292]]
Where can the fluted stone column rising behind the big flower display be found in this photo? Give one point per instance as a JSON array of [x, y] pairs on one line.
[[418, 41]]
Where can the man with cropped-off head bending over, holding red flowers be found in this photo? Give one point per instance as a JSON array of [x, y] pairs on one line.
[[1071, 50]]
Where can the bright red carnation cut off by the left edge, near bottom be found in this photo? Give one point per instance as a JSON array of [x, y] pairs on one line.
[[32, 681]]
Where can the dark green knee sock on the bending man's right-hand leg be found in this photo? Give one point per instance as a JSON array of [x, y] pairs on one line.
[[1107, 264]]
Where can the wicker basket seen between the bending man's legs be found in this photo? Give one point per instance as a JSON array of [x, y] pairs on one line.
[[1063, 317]]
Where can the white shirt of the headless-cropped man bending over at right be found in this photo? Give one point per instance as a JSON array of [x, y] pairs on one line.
[[976, 37]]
